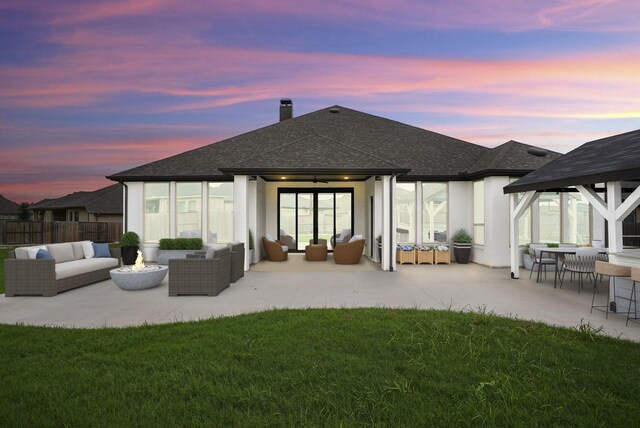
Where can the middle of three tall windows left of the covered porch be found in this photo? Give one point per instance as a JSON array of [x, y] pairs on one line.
[[189, 210]]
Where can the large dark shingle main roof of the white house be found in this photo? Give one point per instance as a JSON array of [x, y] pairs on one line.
[[331, 139]]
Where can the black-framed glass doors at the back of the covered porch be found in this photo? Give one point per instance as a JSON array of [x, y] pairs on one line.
[[313, 215]]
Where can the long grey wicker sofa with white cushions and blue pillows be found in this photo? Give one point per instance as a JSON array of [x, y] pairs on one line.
[[69, 269]]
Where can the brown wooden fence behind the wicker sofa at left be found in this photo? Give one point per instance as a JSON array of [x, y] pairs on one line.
[[51, 232]]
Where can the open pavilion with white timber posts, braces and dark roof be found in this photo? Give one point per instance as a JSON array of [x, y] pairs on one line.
[[605, 171]]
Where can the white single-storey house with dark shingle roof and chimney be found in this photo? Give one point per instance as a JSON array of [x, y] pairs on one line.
[[315, 175]]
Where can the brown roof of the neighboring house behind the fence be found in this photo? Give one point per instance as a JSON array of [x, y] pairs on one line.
[[107, 200]]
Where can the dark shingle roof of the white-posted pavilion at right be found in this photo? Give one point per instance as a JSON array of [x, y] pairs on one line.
[[613, 158]]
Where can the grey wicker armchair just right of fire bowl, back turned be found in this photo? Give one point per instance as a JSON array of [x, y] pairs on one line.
[[206, 276]]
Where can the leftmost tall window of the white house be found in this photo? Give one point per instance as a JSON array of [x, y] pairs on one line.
[[156, 211]]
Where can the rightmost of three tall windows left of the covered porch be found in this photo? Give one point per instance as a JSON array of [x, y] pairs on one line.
[[220, 213]]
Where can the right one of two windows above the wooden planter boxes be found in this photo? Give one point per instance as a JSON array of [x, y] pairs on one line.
[[434, 212]]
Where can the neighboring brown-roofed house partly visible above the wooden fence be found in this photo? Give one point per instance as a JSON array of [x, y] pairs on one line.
[[103, 205]]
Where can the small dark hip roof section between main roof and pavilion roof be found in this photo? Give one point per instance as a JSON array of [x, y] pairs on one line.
[[512, 156]]
